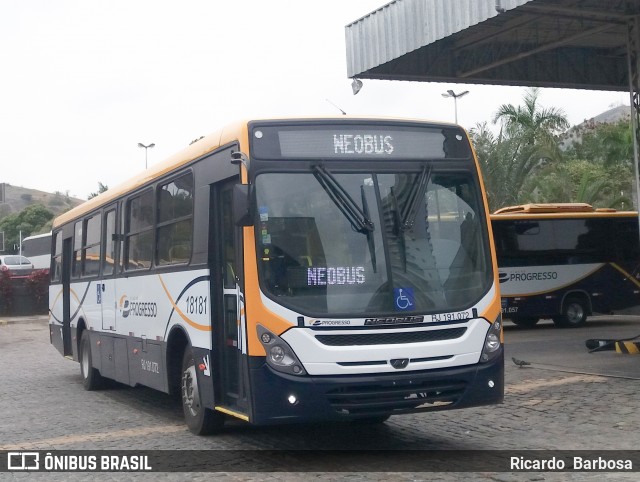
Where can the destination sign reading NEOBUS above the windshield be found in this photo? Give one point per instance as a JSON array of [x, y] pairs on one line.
[[359, 142]]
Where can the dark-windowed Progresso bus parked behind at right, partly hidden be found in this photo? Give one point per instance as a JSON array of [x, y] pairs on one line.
[[566, 261]]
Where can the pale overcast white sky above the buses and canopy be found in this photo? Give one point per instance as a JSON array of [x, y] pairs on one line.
[[82, 82]]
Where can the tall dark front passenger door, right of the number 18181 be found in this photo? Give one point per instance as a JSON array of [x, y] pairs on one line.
[[228, 323]]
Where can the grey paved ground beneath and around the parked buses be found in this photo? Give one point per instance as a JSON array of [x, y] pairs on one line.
[[567, 399]]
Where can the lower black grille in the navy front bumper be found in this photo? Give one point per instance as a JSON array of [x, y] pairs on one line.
[[395, 399]]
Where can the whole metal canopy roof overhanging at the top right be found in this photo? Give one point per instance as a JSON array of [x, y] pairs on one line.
[[580, 44]]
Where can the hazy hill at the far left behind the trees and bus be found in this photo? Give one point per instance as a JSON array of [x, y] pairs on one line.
[[18, 198]]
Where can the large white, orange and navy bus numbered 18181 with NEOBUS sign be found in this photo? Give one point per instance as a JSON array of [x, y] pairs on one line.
[[288, 271]]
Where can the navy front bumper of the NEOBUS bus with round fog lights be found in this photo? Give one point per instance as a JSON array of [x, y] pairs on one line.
[[279, 398]]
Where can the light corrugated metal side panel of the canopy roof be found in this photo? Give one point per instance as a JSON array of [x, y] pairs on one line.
[[402, 26]]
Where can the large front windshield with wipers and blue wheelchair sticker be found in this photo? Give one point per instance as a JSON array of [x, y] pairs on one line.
[[367, 243]]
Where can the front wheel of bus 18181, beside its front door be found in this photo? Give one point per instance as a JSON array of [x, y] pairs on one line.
[[199, 419]]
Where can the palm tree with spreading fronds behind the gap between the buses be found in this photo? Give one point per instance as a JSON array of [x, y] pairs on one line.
[[525, 144]]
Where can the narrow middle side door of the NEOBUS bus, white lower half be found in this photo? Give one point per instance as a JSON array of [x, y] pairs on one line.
[[108, 262]]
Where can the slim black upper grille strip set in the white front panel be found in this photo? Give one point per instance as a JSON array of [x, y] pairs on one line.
[[391, 338]]
